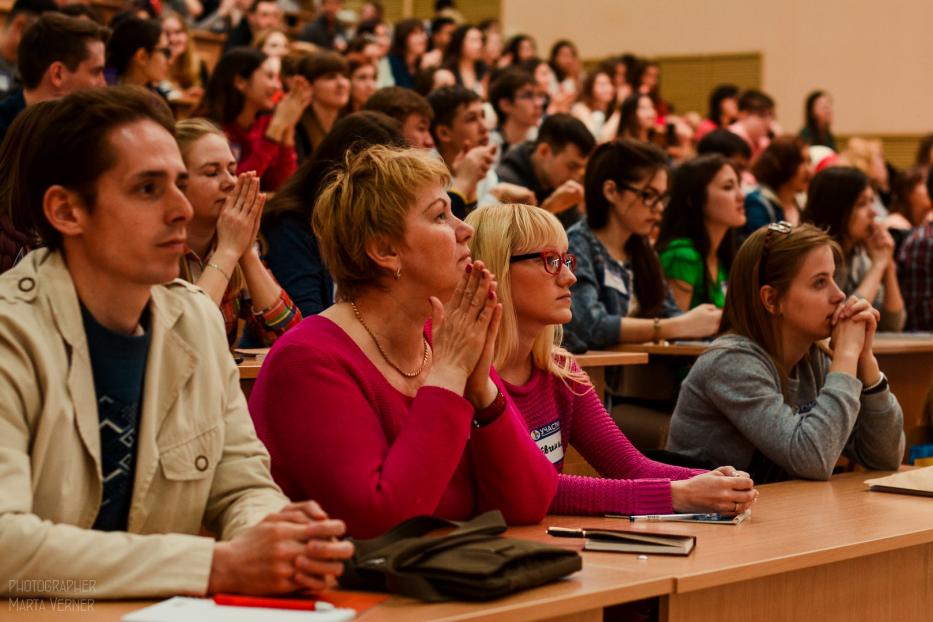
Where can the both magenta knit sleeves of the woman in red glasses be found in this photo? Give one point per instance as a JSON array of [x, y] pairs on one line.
[[630, 483]]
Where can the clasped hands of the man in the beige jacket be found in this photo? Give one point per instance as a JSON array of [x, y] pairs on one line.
[[294, 549]]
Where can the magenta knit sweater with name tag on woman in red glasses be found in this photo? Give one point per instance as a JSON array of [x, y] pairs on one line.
[[557, 418]]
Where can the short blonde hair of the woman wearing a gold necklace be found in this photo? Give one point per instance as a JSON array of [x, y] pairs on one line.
[[366, 198]]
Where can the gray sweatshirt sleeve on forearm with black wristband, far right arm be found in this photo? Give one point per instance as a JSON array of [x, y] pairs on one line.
[[877, 443]]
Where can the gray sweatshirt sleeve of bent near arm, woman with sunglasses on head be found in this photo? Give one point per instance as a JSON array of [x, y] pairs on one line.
[[746, 389]]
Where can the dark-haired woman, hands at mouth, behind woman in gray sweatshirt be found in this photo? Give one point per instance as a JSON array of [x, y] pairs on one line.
[[840, 202]]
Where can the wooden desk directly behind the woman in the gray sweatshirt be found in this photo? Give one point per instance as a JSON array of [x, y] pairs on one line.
[[906, 360]]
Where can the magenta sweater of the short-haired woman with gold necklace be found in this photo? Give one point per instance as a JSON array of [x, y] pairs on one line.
[[340, 434]]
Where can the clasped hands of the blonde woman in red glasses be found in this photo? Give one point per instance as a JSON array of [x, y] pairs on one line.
[[724, 490]]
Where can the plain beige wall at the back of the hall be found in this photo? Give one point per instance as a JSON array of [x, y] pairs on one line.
[[873, 56]]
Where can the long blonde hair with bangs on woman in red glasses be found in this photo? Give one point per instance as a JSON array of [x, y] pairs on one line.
[[506, 230]]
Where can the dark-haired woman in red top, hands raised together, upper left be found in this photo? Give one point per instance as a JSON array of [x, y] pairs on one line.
[[239, 97]]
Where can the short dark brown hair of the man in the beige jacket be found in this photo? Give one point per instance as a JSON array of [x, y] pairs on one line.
[[71, 148]]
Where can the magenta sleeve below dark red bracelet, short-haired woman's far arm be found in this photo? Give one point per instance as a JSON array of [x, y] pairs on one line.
[[512, 475]]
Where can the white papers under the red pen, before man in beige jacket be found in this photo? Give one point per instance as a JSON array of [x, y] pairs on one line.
[[180, 609]]
